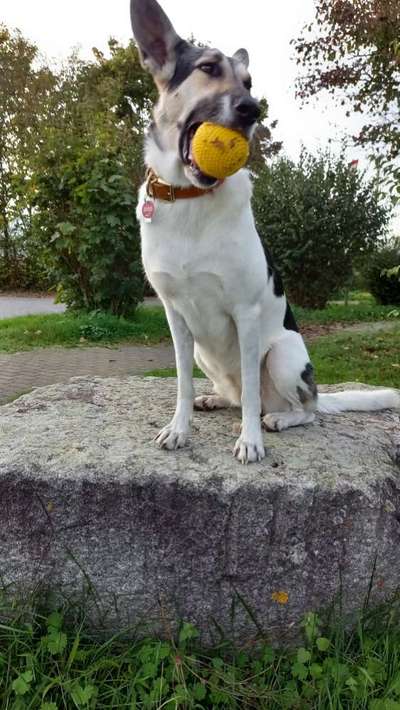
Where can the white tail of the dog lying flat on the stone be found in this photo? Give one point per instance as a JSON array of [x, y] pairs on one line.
[[358, 401]]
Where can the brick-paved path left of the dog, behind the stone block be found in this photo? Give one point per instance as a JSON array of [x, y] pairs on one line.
[[20, 372]]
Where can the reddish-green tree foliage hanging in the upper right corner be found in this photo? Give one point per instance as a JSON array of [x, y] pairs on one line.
[[352, 50]]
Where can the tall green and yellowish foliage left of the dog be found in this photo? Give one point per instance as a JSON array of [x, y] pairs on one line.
[[70, 164]]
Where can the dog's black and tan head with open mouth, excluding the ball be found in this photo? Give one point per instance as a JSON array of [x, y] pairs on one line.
[[195, 85]]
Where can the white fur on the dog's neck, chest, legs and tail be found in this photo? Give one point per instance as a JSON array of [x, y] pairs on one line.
[[205, 260]]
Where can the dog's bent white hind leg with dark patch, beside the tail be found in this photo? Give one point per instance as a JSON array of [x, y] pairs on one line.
[[289, 393]]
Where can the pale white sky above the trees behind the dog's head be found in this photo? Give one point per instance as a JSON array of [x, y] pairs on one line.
[[264, 27]]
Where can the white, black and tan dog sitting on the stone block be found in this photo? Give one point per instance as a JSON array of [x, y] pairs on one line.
[[201, 252]]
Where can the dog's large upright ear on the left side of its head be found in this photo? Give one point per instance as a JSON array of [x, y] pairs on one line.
[[155, 37]]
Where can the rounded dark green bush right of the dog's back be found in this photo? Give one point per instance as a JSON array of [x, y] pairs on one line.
[[317, 215]]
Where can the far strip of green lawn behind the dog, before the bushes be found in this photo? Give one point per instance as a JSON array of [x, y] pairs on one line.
[[148, 325]]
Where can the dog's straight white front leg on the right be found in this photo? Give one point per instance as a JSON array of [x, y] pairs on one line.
[[249, 446]]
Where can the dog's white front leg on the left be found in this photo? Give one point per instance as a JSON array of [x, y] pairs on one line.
[[174, 435]]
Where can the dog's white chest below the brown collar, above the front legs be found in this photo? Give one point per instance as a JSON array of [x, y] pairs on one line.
[[205, 258]]
